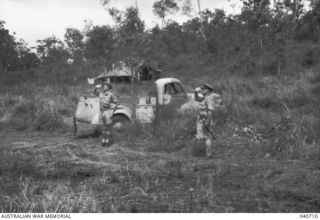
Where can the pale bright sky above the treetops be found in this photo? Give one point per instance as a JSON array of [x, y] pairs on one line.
[[32, 20]]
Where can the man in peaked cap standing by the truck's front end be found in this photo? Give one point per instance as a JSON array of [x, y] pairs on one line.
[[208, 102]]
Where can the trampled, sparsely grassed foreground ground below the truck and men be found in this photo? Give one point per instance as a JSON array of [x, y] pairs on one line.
[[125, 179]]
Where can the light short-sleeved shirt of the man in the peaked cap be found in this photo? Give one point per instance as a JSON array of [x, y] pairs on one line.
[[210, 103]]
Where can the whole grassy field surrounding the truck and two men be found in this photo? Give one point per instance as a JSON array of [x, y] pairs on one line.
[[266, 153]]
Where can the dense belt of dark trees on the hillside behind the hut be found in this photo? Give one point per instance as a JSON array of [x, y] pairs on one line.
[[258, 40]]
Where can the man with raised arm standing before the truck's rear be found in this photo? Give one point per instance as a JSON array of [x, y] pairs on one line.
[[108, 103]]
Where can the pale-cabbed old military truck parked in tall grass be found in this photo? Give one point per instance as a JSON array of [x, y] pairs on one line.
[[164, 91]]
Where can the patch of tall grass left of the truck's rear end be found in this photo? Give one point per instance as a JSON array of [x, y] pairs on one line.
[[35, 108]]
